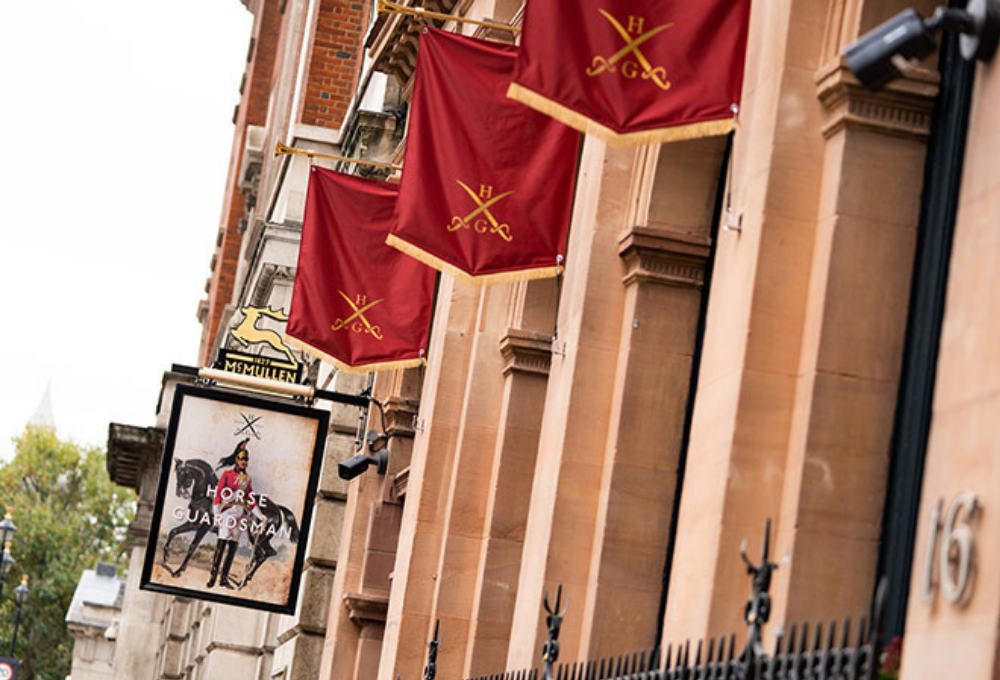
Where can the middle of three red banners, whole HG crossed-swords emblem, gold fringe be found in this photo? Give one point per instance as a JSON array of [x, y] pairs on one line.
[[487, 184]]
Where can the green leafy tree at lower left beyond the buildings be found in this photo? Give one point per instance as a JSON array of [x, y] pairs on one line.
[[69, 516]]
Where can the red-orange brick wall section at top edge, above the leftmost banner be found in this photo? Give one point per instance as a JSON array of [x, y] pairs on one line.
[[334, 61]]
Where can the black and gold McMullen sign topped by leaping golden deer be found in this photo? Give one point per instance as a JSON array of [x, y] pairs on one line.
[[248, 334]]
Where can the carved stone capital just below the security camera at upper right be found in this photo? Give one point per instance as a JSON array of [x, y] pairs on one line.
[[903, 108]]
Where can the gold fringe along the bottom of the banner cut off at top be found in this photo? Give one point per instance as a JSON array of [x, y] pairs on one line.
[[711, 128]]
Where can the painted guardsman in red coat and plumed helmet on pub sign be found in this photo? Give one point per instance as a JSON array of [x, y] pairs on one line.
[[234, 501]]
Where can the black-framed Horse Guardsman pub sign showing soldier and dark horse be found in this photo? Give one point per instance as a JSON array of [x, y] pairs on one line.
[[236, 490]]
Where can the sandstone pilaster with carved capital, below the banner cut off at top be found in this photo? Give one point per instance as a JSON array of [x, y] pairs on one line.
[[665, 272]]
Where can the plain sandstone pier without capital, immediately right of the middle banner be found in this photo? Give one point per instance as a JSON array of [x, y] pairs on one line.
[[559, 537]]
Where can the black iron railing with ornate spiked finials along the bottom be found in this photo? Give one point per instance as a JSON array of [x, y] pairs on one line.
[[831, 651]]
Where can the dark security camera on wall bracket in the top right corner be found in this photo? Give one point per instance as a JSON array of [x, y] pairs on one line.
[[889, 50]]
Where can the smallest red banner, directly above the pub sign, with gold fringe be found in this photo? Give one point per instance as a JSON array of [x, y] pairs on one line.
[[357, 302]]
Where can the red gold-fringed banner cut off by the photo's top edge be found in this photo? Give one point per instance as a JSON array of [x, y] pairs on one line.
[[634, 71]]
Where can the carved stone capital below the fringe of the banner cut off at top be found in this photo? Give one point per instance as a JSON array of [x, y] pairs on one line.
[[662, 256]]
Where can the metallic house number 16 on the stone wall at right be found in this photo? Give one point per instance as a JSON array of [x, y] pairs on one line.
[[952, 555]]
